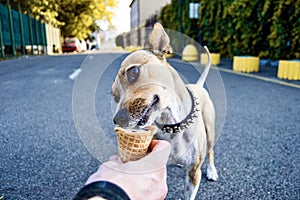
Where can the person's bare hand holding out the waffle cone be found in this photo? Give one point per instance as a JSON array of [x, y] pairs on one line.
[[141, 179]]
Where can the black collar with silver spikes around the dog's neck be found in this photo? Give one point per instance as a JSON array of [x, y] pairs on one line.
[[185, 123]]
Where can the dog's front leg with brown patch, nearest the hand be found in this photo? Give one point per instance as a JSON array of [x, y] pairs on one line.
[[193, 178]]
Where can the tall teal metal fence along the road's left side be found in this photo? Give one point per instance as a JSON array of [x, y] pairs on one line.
[[22, 34]]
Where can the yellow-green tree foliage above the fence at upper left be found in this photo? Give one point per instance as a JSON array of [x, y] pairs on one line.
[[76, 18]]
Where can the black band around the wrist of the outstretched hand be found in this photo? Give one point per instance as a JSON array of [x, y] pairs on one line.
[[102, 189]]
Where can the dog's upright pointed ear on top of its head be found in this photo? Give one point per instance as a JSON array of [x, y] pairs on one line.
[[158, 40]]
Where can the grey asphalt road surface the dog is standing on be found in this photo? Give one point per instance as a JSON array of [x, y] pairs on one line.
[[45, 155]]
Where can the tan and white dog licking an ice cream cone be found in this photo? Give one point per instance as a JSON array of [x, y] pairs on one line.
[[148, 91]]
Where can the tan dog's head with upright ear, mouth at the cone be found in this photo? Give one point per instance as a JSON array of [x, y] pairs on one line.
[[145, 84]]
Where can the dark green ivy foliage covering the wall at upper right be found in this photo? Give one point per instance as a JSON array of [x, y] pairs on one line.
[[269, 29]]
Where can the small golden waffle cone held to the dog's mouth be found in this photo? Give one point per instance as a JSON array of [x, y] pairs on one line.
[[133, 144]]
